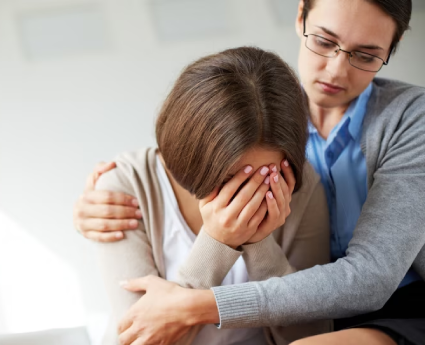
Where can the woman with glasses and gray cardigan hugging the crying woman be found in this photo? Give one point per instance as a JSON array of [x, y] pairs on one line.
[[367, 142]]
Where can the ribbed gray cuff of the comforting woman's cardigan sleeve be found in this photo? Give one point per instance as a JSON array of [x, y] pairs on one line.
[[238, 305]]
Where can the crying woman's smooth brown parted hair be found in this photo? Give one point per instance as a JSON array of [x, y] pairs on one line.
[[225, 104]]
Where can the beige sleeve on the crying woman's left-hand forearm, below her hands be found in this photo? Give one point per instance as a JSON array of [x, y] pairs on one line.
[[207, 252]]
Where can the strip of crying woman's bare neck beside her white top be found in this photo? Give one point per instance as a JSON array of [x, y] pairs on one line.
[[188, 204]]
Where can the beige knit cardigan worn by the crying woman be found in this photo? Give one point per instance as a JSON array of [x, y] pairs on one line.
[[301, 243]]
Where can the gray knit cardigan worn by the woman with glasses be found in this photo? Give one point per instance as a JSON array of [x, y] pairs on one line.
[[389, 237]]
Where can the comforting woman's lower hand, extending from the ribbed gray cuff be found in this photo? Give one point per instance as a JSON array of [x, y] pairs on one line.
[[165, 313]]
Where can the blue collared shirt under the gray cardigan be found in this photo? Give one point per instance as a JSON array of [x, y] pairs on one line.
[[341, 165]]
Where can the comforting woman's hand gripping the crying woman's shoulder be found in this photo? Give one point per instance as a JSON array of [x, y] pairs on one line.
[[102, 215]]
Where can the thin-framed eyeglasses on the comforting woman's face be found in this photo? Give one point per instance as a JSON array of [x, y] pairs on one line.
[[363, 61]]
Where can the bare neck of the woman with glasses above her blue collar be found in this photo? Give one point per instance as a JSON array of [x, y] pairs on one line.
[[325, 119]]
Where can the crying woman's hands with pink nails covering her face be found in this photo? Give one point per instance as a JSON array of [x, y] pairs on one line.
[[250, 206]]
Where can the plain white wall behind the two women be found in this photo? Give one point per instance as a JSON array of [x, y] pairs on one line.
[[61, 113]]
